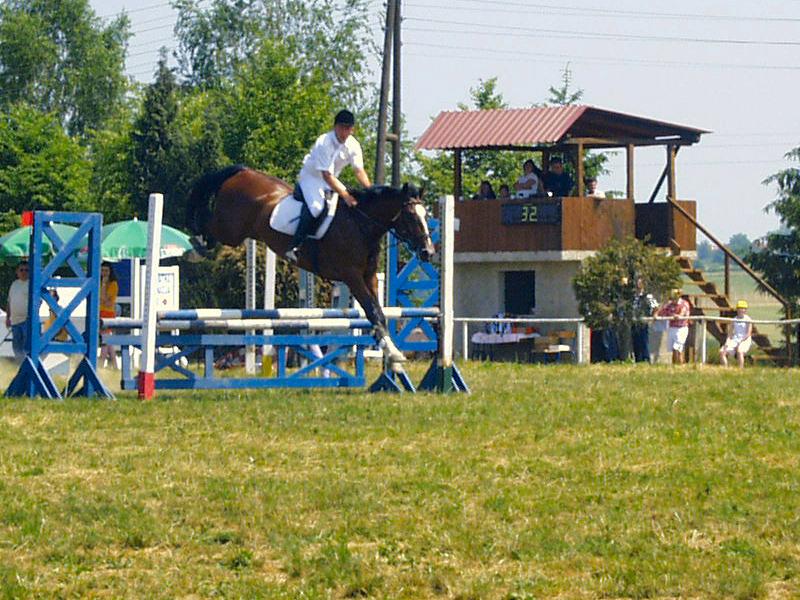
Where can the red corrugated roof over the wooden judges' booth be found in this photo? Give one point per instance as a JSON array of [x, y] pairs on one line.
[[544, 125]]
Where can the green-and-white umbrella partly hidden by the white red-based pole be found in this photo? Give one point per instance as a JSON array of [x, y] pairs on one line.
[[128, 239]]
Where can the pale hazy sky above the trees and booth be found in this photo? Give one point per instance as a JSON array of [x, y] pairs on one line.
[[731, 67]]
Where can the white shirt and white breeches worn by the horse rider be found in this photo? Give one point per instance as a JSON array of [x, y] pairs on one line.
[[327, 154]]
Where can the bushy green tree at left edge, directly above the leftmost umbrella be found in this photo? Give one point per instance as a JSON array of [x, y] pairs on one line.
[[40, 166]]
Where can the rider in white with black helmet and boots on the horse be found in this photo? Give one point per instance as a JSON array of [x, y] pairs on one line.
[[331, 153]]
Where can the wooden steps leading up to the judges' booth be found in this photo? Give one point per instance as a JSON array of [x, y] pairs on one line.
[[712, 302]]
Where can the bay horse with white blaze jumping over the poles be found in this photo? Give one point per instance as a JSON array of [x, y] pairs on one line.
[[244, 198]]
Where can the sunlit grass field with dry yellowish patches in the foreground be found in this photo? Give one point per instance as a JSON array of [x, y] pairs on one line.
[[575, 482]]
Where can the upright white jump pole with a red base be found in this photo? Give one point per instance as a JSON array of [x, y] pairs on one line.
[[146, 382]]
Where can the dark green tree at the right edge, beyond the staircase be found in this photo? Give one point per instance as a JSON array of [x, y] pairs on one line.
[[778, 258]]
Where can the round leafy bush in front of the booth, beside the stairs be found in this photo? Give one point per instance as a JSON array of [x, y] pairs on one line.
[[605, 285]]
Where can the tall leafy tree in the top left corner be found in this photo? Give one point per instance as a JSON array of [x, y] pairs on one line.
[[59, 57]]
